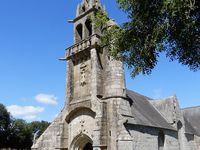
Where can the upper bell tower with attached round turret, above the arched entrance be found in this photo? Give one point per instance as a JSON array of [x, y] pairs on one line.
[[91, 72]]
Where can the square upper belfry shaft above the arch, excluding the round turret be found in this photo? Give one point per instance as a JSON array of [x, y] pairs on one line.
[[80, 56]]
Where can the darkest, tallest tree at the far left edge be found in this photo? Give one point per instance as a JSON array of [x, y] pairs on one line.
[[4, 126]]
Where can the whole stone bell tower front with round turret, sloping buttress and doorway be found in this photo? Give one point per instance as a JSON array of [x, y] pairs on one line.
[[95, 89]]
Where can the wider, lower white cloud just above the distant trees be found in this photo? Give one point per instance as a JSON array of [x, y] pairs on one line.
[[25, 112]]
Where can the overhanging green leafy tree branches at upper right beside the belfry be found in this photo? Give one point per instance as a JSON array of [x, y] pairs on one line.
[[155, 26]]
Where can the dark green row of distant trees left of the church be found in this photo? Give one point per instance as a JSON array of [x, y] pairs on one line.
[[17, 133]]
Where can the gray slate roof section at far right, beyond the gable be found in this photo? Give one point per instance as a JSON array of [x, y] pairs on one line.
[[192, 120]]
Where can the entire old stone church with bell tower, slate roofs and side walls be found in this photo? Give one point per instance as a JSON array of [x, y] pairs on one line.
[[101, 114]]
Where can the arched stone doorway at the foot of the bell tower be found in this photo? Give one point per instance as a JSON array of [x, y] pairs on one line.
[[82, 142]]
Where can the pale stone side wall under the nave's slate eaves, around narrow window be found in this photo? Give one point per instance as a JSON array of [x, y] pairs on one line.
[[146, 138]]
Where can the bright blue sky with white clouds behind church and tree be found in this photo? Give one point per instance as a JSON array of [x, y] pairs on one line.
[[35, 33]]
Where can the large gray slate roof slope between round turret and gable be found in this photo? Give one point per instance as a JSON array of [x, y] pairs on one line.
[[144, 113]]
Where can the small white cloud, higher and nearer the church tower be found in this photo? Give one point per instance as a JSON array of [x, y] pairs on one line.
[[46, 99]]
